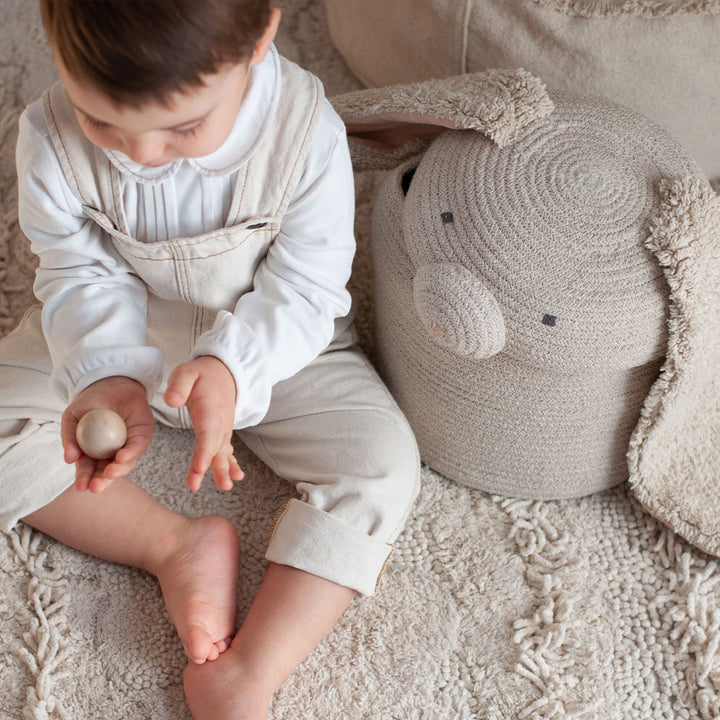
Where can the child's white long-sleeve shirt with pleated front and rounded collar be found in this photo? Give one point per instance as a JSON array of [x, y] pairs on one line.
[[89, 299]]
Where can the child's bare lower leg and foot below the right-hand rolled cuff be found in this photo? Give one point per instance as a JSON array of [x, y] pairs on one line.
[[290, 615]]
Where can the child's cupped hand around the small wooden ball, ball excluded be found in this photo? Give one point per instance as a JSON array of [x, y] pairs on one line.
[[126, 397]]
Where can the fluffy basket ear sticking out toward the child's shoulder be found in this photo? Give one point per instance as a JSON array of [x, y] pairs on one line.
[[387, 125]]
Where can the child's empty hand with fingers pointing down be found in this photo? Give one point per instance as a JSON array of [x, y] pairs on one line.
[[207, 387]]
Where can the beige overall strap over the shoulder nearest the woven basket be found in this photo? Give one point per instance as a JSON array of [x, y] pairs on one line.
[[265, 185]]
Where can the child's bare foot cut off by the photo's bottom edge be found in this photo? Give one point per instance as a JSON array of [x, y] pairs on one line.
[[226, 690]]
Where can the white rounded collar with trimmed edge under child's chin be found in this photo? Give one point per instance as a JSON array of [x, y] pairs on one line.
[[252, 119]]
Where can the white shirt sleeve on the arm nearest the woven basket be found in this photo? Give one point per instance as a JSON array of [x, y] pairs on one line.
[[300, 287]]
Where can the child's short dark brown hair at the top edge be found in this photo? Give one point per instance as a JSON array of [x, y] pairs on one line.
[[135, 51]]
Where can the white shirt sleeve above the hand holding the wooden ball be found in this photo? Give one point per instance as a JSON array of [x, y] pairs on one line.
[[94, 307]]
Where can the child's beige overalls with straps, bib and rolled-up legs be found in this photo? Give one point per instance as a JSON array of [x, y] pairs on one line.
[[332, 429]]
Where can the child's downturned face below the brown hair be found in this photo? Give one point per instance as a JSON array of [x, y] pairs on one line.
[[193, 124]]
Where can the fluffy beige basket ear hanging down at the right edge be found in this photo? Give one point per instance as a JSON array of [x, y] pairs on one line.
[[674, 454]]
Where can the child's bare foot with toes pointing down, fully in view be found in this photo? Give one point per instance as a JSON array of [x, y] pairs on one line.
[[198, 576]]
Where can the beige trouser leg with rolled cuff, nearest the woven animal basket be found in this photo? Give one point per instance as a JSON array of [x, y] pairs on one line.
[[335, 432]]
